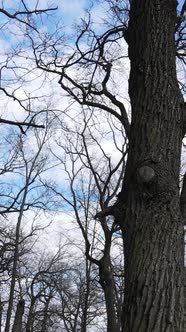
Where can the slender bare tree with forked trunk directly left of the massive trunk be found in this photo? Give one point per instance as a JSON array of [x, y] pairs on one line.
[[91, 172]]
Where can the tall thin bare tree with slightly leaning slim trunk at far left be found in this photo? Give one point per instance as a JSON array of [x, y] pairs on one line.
[[20, 193]]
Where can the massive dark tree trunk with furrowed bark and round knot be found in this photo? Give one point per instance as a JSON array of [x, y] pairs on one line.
[[152, 226]]
